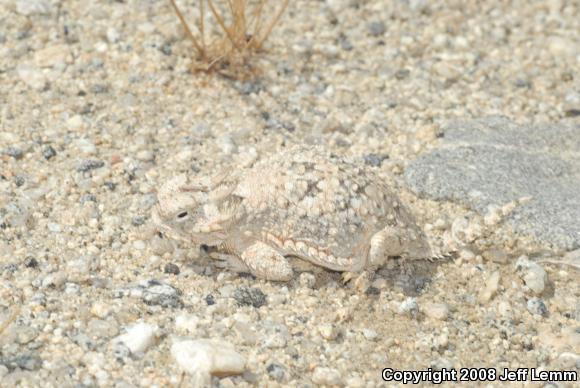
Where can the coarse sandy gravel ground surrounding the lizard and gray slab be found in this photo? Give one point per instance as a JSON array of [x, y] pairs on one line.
[[98, 108]]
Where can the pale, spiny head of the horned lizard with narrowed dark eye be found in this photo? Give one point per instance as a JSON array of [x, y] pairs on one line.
[[184, 212]]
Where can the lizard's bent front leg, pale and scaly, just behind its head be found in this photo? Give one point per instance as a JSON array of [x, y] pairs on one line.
[[266, 263]]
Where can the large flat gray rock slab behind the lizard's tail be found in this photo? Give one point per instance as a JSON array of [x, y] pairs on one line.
[[493, 161]]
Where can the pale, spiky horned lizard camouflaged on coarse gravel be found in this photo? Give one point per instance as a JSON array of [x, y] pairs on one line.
[[304, 202]]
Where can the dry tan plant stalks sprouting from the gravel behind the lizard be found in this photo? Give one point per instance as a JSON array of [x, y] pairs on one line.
[[243, 31]]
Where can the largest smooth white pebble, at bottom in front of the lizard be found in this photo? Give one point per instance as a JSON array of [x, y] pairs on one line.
[[204, 357]]
